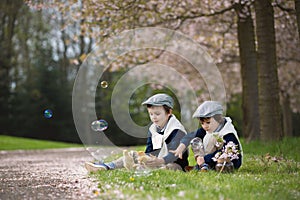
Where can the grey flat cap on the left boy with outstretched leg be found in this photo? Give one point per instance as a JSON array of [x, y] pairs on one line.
[[159, 100]]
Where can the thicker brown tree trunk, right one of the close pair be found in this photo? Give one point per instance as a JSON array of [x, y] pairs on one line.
[[269, 106]]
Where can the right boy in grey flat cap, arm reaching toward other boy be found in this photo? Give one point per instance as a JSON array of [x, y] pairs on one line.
[[203, 141]]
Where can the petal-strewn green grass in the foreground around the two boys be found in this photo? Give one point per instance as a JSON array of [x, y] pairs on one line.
[[261, 177]]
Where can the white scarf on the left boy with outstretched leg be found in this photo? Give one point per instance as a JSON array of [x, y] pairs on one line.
[[159, 141]]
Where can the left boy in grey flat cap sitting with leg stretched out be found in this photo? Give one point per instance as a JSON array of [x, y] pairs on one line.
[[164, 134]]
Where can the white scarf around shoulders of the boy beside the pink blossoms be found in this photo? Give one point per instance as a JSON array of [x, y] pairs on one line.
[[228, 128]]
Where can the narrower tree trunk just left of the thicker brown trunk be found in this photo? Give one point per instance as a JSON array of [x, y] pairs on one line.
[[249, 73]]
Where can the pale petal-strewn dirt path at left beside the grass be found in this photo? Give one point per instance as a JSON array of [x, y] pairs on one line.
[[46, 174]]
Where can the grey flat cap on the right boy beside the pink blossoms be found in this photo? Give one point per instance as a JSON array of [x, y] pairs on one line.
[[208, 109]]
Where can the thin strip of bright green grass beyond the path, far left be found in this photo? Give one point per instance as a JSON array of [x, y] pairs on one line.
[[14, 143]]
